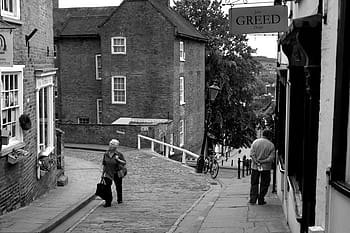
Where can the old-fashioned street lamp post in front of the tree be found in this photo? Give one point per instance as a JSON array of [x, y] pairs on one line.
[[212, 92]]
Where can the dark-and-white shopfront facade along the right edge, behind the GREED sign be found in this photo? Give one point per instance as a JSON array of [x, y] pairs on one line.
[[313, 133]]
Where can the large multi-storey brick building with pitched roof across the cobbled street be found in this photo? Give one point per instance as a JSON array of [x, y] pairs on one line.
[[136, 64]]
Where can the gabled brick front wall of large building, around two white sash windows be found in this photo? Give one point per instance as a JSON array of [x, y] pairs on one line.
[[148, 64]]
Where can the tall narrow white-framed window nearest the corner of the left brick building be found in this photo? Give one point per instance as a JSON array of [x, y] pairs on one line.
[[45, 112]]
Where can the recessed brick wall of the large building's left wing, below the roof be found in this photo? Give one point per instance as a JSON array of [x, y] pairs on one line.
[[78, 87]]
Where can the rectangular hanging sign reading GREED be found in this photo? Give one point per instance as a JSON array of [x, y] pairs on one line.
[[258, 19]]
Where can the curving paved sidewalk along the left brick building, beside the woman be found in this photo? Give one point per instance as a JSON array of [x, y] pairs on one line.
[[48, 211]]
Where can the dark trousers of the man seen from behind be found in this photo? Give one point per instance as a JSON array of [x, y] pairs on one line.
[[265, 178]]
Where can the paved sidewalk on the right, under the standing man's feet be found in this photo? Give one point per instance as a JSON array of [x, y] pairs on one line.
[[226, 210]]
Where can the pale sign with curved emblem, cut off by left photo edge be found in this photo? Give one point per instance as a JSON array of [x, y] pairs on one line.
[[6, 47]]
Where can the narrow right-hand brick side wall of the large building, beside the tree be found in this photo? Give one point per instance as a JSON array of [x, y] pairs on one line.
[[193, 71]]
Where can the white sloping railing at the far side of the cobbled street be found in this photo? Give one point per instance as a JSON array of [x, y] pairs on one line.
[[167, 148]]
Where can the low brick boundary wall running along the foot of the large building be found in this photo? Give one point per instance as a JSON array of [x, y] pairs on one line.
[[102, 134]]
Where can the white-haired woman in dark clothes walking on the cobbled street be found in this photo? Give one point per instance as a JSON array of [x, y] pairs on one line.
[[112, 162]]
